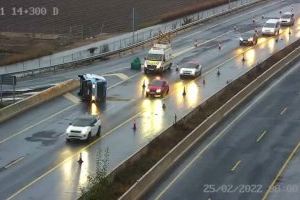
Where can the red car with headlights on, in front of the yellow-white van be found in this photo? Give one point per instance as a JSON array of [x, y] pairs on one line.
[[157, 88]]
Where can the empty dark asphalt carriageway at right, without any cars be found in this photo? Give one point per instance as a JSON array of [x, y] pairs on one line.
[[245, 152]]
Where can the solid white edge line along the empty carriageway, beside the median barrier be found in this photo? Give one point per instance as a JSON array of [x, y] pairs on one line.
[[223, 132]]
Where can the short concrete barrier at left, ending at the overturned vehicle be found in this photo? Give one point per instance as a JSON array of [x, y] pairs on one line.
[[21, 106]]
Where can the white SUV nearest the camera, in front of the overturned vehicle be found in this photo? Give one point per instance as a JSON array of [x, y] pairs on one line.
[[83, 128]]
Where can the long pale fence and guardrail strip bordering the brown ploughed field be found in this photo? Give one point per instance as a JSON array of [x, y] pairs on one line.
[[141, 37]]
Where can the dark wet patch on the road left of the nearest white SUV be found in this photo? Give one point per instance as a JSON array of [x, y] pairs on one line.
[[45, 137]]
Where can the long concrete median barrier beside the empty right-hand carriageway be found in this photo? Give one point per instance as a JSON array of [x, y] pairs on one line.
[[160, 168]]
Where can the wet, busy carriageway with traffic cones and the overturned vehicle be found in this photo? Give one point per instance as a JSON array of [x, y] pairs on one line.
[[32, 145]]
